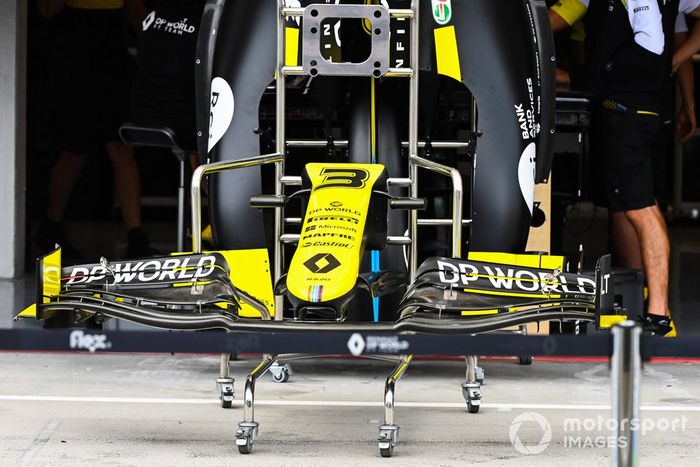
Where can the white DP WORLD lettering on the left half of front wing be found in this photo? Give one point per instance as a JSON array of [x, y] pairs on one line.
[[173, 269]]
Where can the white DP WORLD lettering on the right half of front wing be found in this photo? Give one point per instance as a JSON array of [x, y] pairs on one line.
[[511, 279]]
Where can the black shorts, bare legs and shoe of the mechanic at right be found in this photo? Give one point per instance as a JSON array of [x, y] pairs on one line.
[[623, 141]]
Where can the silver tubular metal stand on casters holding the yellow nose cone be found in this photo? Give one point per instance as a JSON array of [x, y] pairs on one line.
[[248, 428]]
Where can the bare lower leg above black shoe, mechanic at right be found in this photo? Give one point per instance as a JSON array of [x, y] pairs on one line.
[[650, 227]]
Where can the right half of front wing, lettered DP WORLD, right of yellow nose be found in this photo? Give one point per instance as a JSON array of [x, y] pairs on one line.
[[465, 288]]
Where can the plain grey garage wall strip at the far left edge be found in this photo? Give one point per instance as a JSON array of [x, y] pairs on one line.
[[13, 29]]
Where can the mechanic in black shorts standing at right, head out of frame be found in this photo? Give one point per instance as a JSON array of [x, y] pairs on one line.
[[629, 46]]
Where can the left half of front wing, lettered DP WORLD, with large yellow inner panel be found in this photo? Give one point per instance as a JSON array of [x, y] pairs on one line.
[[180, 284]]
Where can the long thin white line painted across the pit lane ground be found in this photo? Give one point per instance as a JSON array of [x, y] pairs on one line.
[[499, 406]]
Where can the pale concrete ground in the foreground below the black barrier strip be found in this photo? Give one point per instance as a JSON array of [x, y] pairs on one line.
[[147, 409]]
